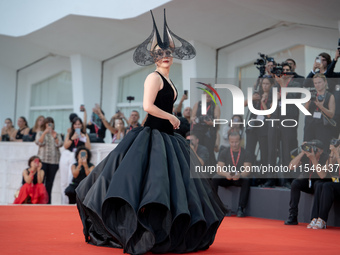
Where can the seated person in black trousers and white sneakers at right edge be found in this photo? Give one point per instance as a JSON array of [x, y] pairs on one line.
[[326, 192]]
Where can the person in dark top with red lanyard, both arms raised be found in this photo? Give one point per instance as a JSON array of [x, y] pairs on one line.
[[96, 127]]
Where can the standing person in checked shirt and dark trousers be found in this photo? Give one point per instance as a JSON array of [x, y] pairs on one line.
[[49, 142]]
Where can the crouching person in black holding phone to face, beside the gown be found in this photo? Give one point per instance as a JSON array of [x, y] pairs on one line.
[[80, 170]]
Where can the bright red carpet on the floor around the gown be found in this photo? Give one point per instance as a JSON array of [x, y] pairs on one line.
[[58, 230]]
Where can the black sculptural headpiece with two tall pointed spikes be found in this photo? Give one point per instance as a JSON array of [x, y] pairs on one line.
[[180, 49]]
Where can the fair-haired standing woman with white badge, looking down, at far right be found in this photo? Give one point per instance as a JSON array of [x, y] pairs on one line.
[[322, 107]]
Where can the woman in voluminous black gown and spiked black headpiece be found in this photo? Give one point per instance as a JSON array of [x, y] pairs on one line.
[[143, 196]]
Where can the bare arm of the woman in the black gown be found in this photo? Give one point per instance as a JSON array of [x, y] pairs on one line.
[[151, 87]]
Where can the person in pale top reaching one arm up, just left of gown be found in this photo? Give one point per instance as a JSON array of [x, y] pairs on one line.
[[118, 130]]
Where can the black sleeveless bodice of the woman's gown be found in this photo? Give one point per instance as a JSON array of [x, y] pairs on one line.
[[165, 101]]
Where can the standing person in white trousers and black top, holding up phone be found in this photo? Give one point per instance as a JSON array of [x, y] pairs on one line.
[[74, 139]]
